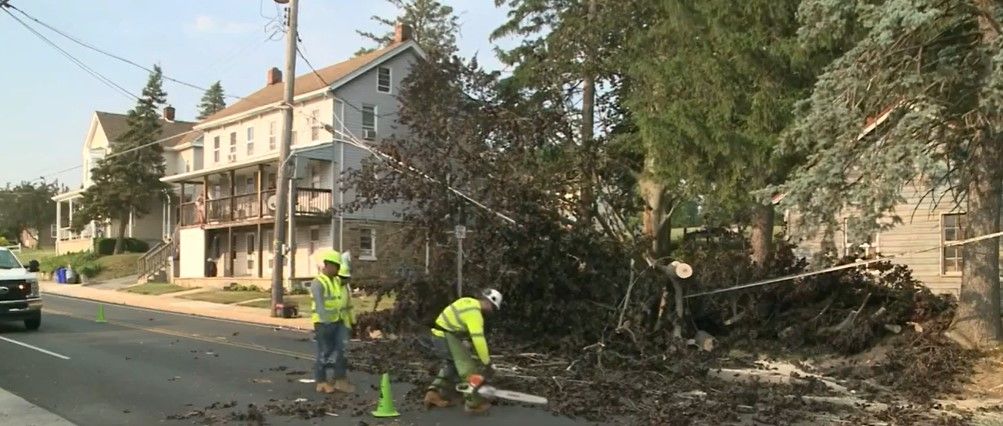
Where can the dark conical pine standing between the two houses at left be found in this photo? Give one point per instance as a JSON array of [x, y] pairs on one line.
[[130, 183]]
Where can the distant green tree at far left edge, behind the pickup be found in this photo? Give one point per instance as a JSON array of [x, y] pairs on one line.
[[28, 206]]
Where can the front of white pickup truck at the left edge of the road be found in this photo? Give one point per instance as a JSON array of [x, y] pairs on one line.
[[21, 299]]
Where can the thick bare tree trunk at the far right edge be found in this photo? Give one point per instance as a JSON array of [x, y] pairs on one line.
[[977, 323]]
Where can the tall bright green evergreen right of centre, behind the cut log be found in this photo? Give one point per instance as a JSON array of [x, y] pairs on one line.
[[715, 85]]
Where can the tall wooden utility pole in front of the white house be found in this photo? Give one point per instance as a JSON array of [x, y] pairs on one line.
[[281, 184]]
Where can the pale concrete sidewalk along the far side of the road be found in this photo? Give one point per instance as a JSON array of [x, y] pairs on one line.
[[176, 305]]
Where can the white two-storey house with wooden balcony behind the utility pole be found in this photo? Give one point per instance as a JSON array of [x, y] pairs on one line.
[[227, 224]]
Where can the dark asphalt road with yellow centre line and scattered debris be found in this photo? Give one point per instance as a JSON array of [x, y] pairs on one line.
[[145, 366]]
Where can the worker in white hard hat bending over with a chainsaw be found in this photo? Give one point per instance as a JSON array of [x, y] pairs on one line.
[[461, 321]]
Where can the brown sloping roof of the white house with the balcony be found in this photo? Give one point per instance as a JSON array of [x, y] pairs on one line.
[[305, 84]]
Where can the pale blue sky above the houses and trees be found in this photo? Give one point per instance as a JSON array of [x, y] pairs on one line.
[[48, 103]]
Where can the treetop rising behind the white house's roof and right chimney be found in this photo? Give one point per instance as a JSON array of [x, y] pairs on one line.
[[434, 26]]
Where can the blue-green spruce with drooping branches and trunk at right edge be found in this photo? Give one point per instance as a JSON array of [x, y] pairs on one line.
[[936, 69]]
